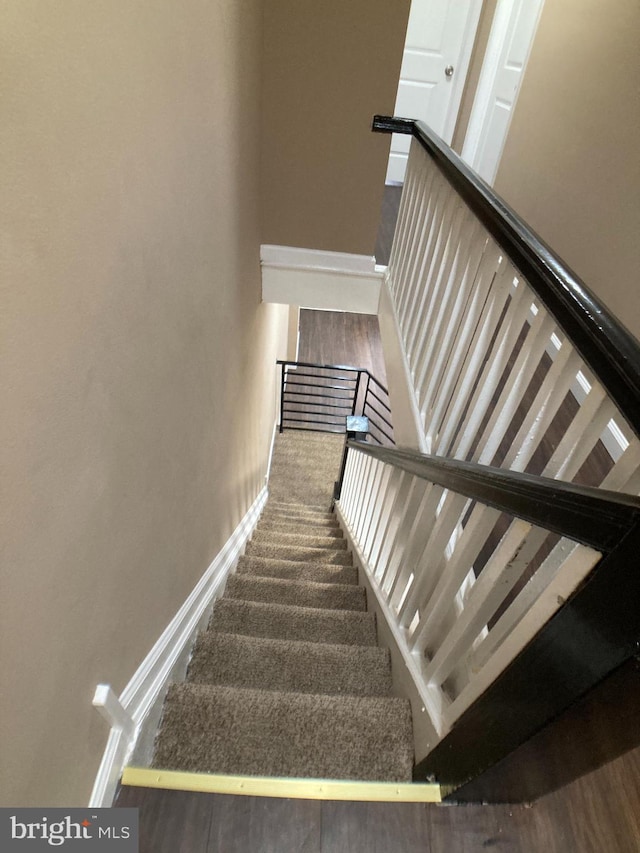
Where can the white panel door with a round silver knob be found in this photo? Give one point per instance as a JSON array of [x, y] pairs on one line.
[[435, 61]]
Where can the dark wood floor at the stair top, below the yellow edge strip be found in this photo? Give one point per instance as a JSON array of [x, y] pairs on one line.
[[591, 816]]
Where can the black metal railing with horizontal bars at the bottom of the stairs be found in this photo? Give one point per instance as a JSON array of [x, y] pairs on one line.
[[320, 397]]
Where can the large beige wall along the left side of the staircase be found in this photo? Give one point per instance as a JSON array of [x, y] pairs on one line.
[[137, 360]]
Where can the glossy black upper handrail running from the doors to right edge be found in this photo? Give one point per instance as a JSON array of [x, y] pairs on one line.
[[609, 349]]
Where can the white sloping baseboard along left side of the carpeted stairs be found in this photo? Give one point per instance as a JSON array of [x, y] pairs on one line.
[[127, 713]]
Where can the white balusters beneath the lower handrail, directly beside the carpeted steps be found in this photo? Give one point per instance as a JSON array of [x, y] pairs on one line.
[[419, 542]]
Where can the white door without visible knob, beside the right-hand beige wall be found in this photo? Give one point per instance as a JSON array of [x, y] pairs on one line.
[[512, 33]]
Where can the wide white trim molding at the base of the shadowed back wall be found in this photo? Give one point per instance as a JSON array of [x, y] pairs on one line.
[[326, 281]]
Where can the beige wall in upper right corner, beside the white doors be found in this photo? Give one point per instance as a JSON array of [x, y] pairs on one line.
[[571, 164]]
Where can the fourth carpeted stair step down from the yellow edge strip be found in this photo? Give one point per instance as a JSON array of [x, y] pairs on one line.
[[338, 596]]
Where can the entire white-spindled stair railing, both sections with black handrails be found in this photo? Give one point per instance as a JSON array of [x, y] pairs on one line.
[[514, 365]]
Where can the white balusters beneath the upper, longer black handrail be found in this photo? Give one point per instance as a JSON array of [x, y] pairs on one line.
[[496, 379]]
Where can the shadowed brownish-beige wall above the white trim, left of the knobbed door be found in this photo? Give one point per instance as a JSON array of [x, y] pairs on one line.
[[329, 67]]
